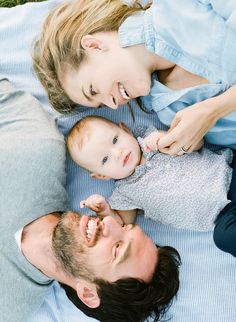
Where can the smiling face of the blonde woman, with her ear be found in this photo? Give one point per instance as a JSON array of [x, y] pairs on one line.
[[109, 75]]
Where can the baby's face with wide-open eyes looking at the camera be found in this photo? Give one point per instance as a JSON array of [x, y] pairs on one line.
[[109, 151]]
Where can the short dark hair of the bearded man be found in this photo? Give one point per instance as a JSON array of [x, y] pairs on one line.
[[133, 300]]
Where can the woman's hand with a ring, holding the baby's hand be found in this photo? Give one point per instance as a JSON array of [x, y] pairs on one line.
[[188, 128]]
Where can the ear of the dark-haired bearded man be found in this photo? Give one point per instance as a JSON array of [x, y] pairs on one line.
[[87, 293]]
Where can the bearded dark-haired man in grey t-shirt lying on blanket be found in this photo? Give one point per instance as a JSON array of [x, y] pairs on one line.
[[112, 273]]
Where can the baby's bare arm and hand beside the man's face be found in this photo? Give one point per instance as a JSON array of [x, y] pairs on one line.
[[99, 204]]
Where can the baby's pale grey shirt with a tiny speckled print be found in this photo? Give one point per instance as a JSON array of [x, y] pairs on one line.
[[185, 191]]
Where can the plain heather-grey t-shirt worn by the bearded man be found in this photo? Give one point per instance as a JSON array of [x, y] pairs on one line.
[[32, 178]]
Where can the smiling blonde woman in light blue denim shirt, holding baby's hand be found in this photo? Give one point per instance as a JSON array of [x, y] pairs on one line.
[[97, 52]]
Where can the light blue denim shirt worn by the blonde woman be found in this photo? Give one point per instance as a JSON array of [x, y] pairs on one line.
[[199, 36]]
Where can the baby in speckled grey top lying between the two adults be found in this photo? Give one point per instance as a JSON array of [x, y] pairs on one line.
[[185, 191]]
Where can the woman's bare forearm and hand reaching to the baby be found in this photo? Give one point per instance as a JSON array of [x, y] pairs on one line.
[[192, 123]]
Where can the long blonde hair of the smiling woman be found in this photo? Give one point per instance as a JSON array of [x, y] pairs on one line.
[[58, 46]]
